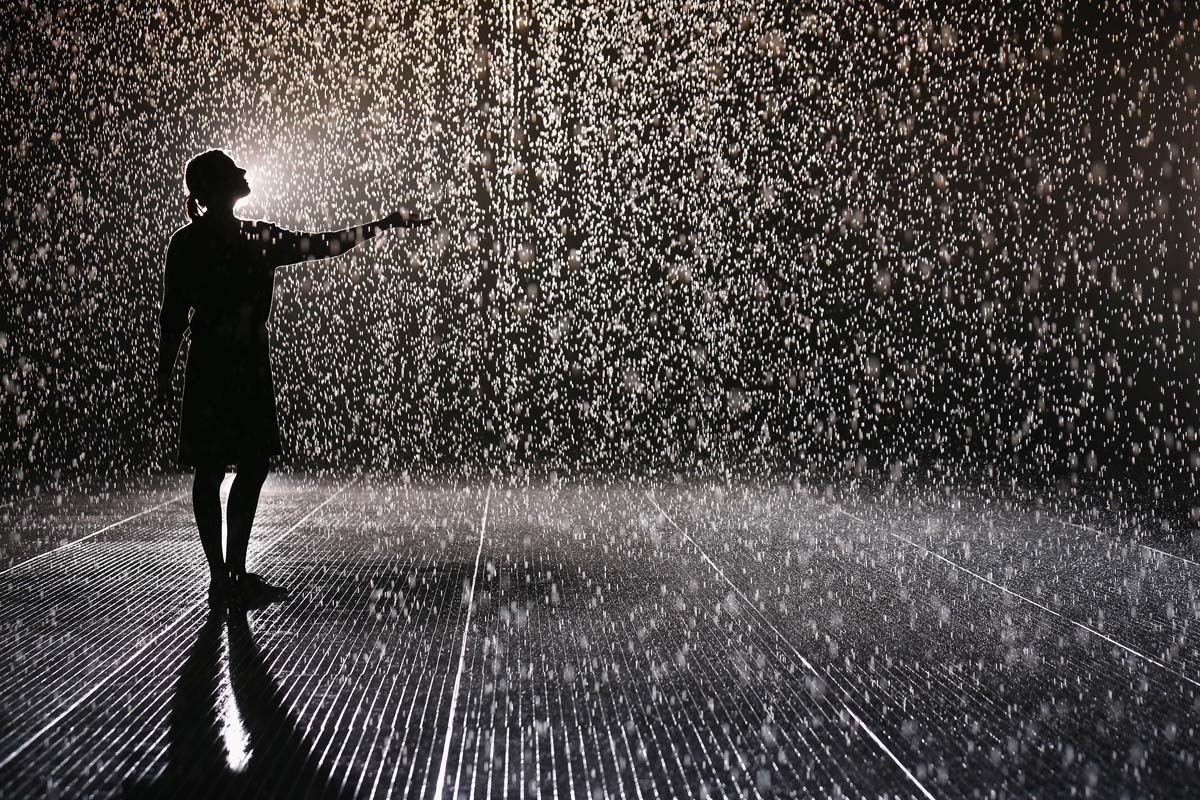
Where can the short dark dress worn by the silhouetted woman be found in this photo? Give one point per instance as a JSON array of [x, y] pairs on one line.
[[227, 281]]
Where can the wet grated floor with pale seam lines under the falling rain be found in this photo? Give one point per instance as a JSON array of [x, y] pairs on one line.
[[617, 641]]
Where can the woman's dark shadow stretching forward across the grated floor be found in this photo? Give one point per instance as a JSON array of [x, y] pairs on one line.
[[230, 735]]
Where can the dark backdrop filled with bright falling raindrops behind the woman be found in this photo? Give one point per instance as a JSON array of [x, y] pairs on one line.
[[839, 242]]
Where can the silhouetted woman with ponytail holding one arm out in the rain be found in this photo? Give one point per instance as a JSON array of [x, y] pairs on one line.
[[223, 269]]
